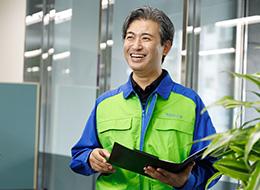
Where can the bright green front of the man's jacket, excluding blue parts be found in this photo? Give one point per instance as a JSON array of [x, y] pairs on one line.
[[168, 133]]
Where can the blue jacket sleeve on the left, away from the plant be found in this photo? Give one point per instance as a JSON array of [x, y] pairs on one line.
[[88, 142]]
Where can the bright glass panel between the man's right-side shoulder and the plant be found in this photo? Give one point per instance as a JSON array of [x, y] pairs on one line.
[[216, 57]]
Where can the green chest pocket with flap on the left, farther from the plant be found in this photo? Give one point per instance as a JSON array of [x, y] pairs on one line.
[[118, 130]]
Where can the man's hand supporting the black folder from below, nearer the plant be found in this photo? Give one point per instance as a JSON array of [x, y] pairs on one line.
[[172, 179]]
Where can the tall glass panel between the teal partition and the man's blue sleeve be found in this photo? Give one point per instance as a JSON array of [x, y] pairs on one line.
[[73, 71]]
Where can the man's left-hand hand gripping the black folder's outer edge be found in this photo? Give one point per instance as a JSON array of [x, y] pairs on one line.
[[98, 162]]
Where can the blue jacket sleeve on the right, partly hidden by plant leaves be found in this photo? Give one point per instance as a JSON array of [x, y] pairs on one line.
[[203, 169]]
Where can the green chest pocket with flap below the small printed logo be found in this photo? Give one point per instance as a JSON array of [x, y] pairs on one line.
[[171, 138]]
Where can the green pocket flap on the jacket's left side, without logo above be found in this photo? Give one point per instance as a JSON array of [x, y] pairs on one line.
[[117, 124]]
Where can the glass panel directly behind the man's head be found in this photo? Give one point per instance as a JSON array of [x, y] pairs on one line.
[[119, 69]]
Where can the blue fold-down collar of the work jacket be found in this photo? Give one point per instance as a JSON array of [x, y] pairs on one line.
[[164, 88]]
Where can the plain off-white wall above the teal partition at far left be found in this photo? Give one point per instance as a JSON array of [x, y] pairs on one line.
[[12, 35]]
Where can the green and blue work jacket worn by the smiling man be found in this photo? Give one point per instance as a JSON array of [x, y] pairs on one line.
[[165, 127]]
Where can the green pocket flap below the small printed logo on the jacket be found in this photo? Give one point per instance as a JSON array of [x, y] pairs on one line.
[[174, 124]]
